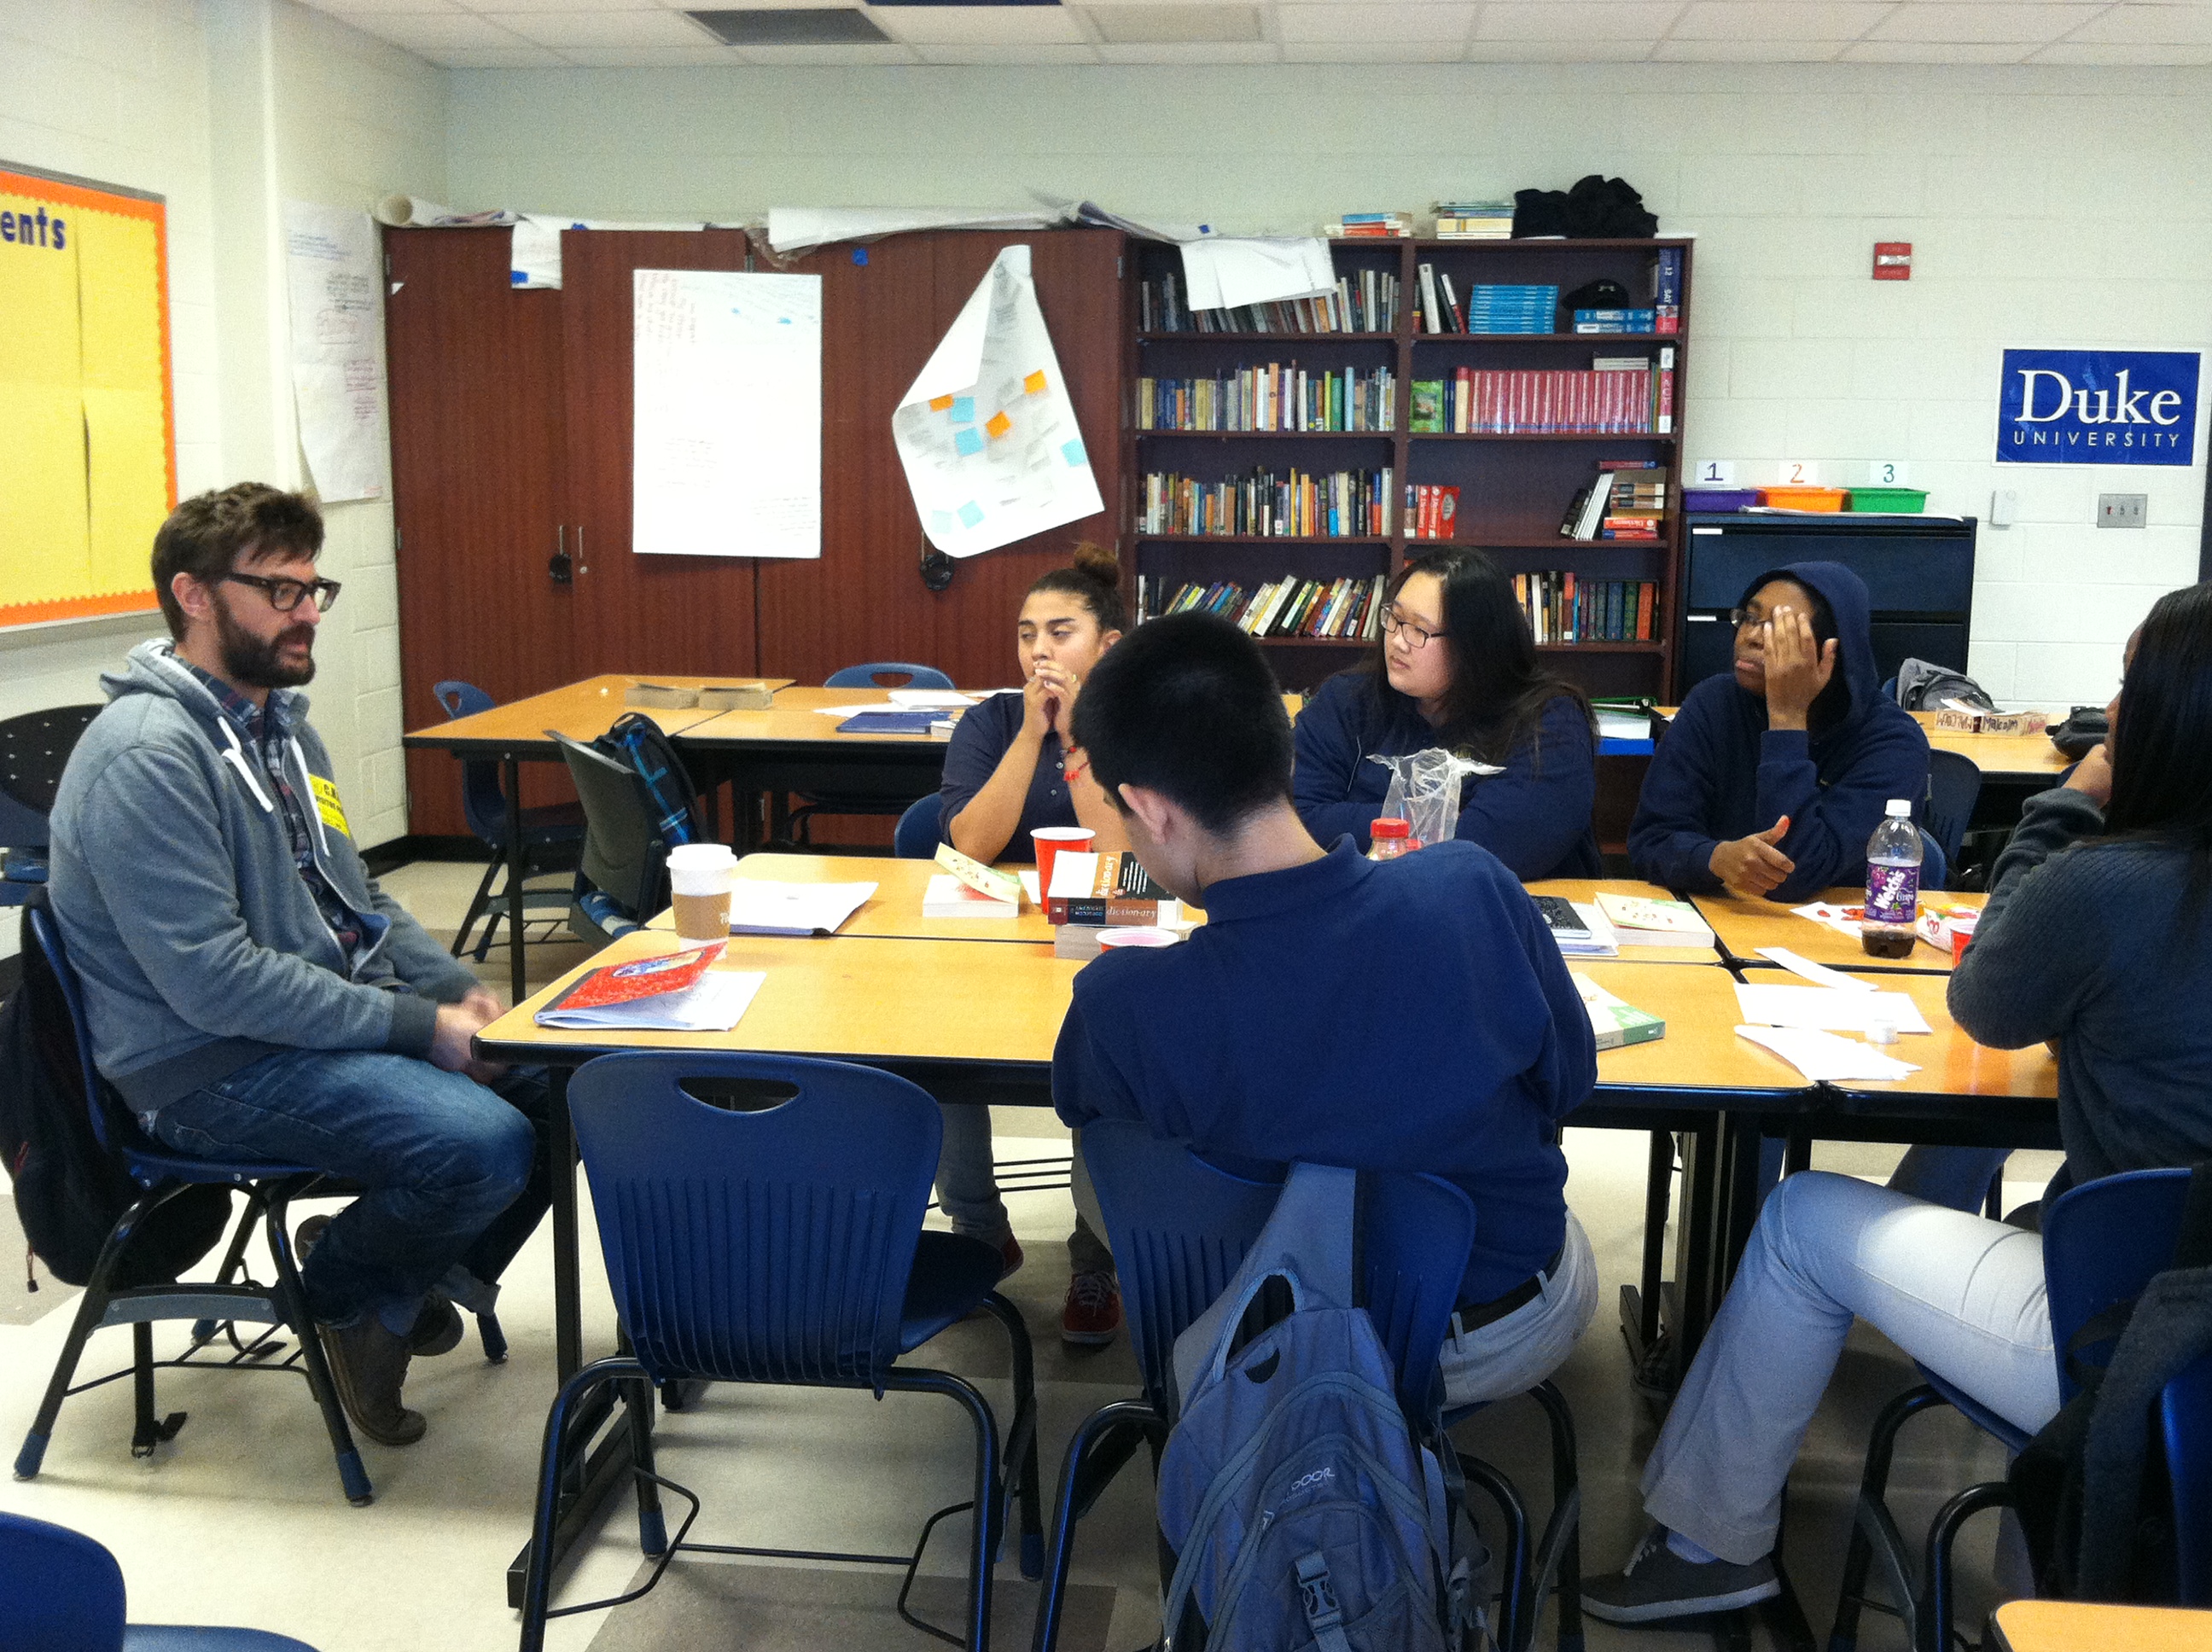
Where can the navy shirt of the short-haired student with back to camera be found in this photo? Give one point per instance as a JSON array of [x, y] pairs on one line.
[[1399, 1016]]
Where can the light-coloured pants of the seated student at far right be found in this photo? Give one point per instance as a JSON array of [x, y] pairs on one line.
[[1957, 1293]]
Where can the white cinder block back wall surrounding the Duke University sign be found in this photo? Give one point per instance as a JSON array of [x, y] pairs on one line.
[[2047, 207]]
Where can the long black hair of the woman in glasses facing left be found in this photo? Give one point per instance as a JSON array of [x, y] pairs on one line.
[[1499, 691]]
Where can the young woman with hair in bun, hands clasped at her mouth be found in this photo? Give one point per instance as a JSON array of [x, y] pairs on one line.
[[1010, 771]]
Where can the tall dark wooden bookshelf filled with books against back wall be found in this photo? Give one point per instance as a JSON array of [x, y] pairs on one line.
[[1514, 485]]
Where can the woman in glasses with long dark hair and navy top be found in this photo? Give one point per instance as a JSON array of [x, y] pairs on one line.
[[1457, 667]]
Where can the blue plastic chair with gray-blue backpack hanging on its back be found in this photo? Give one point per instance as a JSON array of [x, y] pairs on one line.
[[1180, 1231]]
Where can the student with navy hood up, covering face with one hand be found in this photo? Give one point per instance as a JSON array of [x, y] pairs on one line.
[[1773, 780]]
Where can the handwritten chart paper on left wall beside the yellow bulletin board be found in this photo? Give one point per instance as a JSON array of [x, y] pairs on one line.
[[335, 278]]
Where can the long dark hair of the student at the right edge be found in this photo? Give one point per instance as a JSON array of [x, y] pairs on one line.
[[2162, 746]]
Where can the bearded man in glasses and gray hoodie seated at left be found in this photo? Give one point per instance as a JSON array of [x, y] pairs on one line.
[[253, 996]]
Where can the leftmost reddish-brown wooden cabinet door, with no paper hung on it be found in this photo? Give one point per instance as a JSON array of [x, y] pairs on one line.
[[477, 481]]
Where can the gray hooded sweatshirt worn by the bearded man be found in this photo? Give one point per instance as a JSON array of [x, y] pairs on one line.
[[196, 937]]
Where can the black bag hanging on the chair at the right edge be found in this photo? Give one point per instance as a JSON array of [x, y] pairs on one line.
[[2091, 1489]]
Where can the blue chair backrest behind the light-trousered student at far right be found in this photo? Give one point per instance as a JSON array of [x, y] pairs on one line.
[[2103, 1244]]
